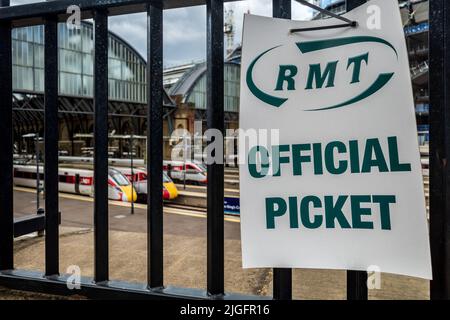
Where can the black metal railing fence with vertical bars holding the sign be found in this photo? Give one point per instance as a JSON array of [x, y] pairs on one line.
[[49, 14]]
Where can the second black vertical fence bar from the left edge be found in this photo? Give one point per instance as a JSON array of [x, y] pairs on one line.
[[51, 178]]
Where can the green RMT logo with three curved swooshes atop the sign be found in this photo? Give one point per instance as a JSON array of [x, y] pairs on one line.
[[319, 76]]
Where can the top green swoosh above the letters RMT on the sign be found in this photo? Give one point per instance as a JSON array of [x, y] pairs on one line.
[[310, 46]]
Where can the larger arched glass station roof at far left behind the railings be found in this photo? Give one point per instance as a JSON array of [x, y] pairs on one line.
[[126, 68]]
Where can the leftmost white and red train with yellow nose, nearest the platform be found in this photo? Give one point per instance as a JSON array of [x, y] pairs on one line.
[[78, 181]]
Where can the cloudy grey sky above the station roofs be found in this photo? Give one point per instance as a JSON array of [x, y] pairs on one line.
[[184, 29]]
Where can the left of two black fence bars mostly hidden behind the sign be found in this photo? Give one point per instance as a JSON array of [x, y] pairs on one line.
[[282, 277]]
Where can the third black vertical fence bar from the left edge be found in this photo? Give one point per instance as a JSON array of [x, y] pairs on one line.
[[101, 272]]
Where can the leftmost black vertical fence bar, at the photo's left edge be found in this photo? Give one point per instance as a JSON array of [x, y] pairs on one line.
[[6, 147]]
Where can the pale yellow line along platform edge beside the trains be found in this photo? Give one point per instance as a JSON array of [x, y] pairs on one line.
[[177, 211]]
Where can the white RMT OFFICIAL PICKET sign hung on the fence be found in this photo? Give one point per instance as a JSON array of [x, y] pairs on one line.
[[342, 187]]
